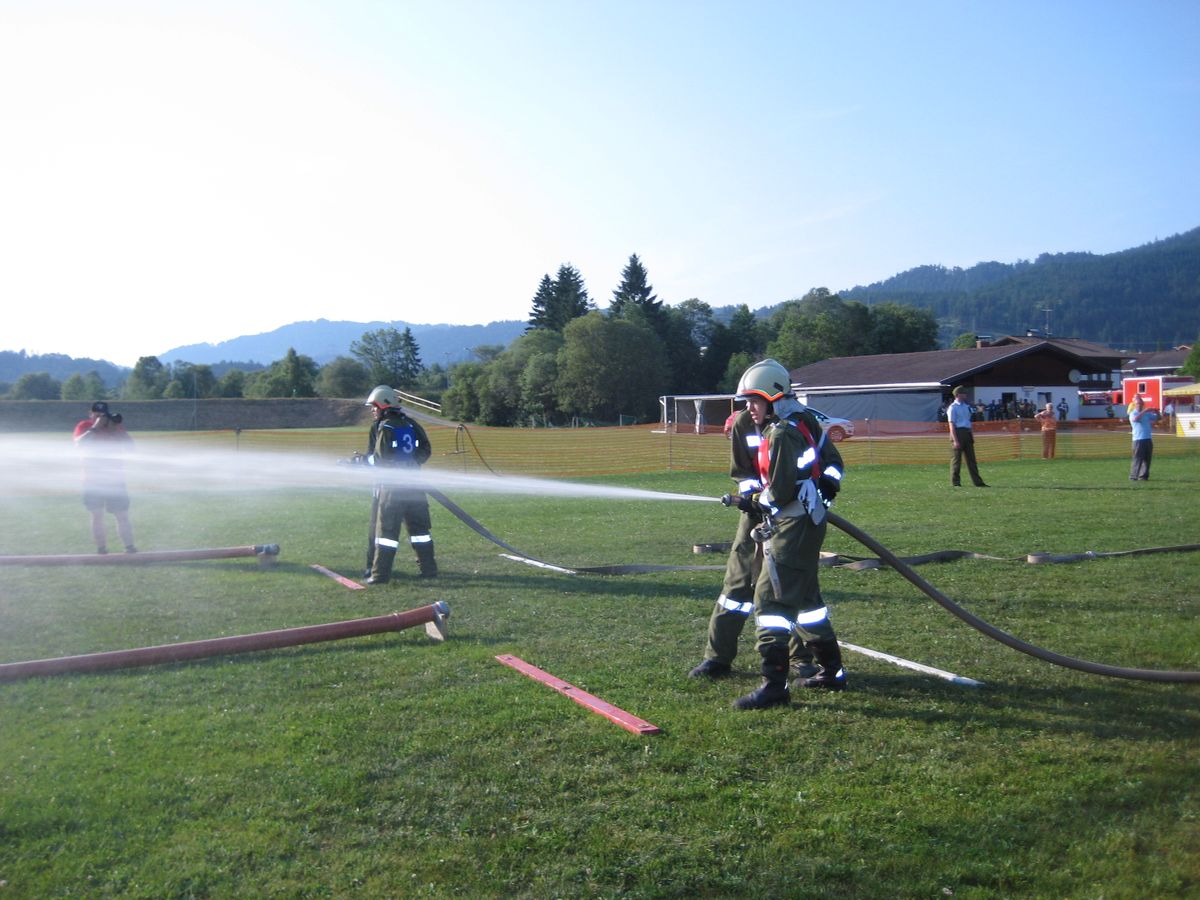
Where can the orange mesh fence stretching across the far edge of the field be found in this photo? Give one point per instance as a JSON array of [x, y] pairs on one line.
[[574, 453]]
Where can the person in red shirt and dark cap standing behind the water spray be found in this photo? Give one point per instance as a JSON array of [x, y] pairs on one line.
[[104, 442]]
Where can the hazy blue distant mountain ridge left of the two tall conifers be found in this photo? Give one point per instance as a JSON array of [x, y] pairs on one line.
[[325, 341]]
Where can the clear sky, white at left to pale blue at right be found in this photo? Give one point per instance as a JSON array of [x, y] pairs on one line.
[[175, 173]]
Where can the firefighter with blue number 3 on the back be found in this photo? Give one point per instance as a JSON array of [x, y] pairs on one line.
[[397, 442]]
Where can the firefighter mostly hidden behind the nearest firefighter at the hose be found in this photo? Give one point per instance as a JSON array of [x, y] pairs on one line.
[[736, 602]]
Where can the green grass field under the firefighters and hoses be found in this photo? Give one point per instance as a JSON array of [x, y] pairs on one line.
[[393, 766]]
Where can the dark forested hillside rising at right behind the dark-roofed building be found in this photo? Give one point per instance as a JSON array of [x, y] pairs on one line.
[[1137, 299]]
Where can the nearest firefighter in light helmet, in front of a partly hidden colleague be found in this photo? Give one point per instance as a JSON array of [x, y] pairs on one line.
[[801, 472]]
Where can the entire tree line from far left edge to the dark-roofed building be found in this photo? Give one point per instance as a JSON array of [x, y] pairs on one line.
[[574, 363]]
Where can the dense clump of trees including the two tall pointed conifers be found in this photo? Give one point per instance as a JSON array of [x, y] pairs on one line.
[[577, 362]]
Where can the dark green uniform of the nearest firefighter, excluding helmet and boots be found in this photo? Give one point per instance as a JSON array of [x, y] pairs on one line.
[[802, 472]]
